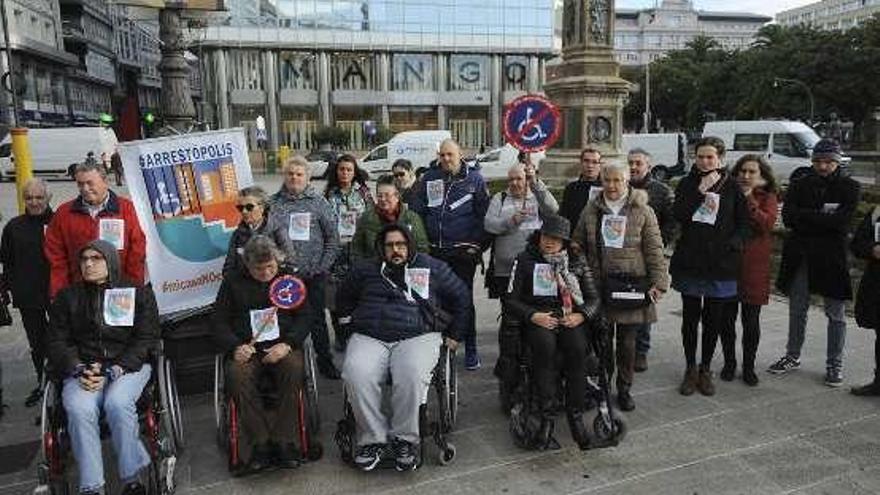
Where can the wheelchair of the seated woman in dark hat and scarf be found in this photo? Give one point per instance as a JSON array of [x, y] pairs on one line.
[[518, 399]]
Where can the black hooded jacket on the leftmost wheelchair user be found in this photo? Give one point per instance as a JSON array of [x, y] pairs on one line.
[[77, 331]]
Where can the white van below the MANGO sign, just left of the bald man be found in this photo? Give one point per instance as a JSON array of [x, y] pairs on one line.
[[419, 147]]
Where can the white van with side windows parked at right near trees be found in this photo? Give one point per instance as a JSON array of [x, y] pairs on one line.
[[787, 145]]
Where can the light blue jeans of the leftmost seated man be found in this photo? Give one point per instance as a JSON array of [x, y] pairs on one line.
[[118, 400]]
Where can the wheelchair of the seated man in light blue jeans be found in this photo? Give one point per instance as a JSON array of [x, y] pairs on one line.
[[161, 427]]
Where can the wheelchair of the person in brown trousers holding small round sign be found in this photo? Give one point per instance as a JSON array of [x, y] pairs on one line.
[[309, 421]]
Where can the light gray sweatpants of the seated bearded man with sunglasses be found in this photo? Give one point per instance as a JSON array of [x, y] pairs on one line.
[[368, 363]]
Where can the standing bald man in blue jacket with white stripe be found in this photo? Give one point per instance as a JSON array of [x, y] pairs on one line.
[[452, 200]]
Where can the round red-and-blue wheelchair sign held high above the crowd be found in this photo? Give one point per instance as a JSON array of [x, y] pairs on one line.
[[532, 123]]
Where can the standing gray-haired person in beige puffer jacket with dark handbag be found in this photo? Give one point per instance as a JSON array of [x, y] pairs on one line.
[[622, 241]]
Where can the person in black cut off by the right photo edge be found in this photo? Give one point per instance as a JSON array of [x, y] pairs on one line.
[[866, 245]]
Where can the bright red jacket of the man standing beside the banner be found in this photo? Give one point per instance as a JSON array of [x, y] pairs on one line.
[[72, 228]]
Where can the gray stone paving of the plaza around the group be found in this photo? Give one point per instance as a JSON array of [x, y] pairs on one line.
[[790, 435]]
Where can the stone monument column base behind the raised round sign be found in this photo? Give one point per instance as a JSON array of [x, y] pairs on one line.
[[587, 88]]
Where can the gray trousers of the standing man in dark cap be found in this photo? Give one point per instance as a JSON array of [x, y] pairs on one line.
[[798, 304]]
